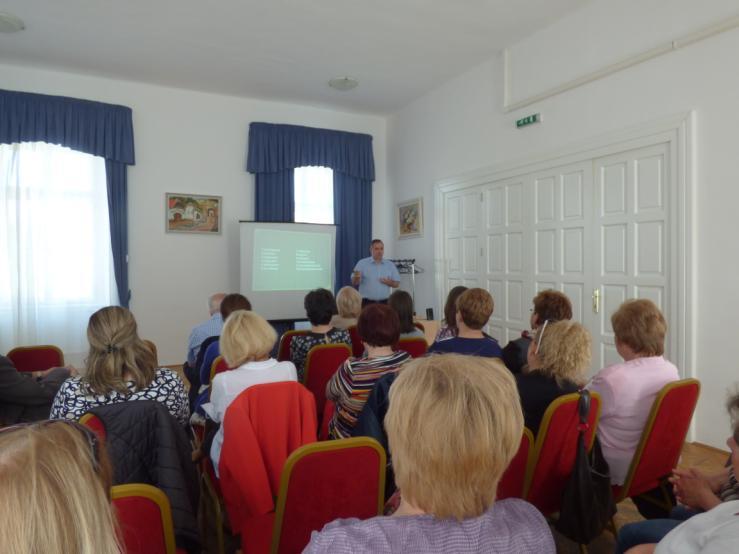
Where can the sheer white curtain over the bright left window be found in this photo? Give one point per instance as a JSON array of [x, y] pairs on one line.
[[56, 264]]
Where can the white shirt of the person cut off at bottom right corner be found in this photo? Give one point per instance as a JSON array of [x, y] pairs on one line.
[[713, 532]]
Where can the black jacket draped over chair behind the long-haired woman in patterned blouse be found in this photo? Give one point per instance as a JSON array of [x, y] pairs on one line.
[[146, 444]]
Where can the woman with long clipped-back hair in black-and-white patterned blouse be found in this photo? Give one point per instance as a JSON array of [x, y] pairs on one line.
[[120, 368]]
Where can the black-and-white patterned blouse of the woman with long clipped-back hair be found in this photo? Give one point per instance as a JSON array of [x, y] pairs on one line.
[[75, 398]]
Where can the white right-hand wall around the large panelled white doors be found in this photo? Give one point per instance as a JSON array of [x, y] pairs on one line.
[[460, 127]]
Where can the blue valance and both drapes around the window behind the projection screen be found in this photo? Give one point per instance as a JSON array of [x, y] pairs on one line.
[[276, 150]]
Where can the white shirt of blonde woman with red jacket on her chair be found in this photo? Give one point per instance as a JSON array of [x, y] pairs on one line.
[[229, 384]]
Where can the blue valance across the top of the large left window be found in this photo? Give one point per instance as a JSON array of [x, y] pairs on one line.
[[104, 130]]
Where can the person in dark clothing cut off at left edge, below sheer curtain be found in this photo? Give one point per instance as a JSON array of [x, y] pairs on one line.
[[26, 396]]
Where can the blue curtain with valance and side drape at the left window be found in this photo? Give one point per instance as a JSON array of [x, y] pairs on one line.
[[104, 130]]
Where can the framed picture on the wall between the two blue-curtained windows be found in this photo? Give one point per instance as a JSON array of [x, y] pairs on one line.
[[193, 213]]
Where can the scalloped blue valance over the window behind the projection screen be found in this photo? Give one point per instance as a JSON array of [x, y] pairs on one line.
[[276, 147]]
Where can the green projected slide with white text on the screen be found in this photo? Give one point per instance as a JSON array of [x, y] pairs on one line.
[[291, 260]]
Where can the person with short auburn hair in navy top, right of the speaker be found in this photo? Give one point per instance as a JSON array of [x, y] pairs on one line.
[[474, 308]]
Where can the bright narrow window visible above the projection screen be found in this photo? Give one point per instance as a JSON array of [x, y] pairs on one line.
[[314, 195]]
